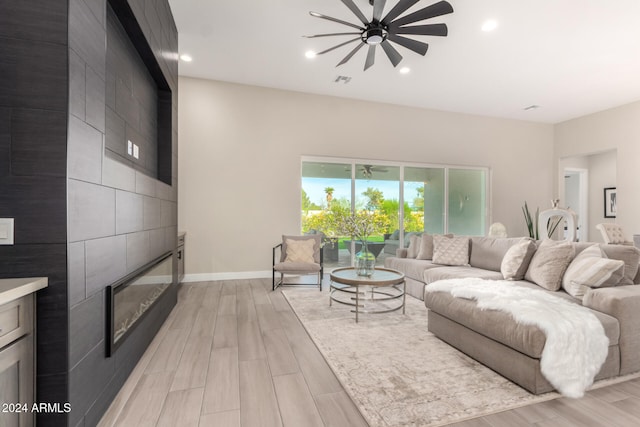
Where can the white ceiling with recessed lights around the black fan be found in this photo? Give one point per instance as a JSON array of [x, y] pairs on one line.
[[570, 57]]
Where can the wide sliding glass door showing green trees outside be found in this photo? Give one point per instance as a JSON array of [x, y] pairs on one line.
[[407, 198]]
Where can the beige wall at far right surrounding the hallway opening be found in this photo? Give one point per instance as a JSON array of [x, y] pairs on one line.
[[615, 129]]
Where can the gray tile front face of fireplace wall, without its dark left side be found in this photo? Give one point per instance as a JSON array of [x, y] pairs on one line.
[[120, 216]]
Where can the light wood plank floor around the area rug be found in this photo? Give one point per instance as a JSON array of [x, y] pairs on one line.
[[233, 353]]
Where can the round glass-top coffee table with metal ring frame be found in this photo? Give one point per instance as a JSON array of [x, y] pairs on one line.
[[387, 293]]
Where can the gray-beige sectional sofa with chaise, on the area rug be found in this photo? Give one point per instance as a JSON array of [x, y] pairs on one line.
[[511, 349]]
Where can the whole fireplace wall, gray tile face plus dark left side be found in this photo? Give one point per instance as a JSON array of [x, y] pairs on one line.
[[82, 218]]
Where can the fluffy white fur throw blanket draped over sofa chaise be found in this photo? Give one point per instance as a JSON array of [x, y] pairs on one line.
[[576, 345]]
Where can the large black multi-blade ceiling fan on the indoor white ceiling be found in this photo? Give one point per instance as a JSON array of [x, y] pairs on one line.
[[384, 30]]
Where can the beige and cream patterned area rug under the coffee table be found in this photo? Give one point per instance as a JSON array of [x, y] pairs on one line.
[[397, 372]]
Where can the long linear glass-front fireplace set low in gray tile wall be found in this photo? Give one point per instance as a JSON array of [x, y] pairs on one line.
[[129, 299]]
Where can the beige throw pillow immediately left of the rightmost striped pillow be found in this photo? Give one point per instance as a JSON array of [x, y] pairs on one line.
[[549, 264]]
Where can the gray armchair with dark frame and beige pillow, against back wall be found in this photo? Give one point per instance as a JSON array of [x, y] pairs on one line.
[[299, 255]]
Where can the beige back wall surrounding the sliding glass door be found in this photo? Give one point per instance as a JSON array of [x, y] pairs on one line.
[[241, 148]]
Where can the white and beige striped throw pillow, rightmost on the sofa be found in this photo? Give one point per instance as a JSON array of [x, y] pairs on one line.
[[591, 269]]
